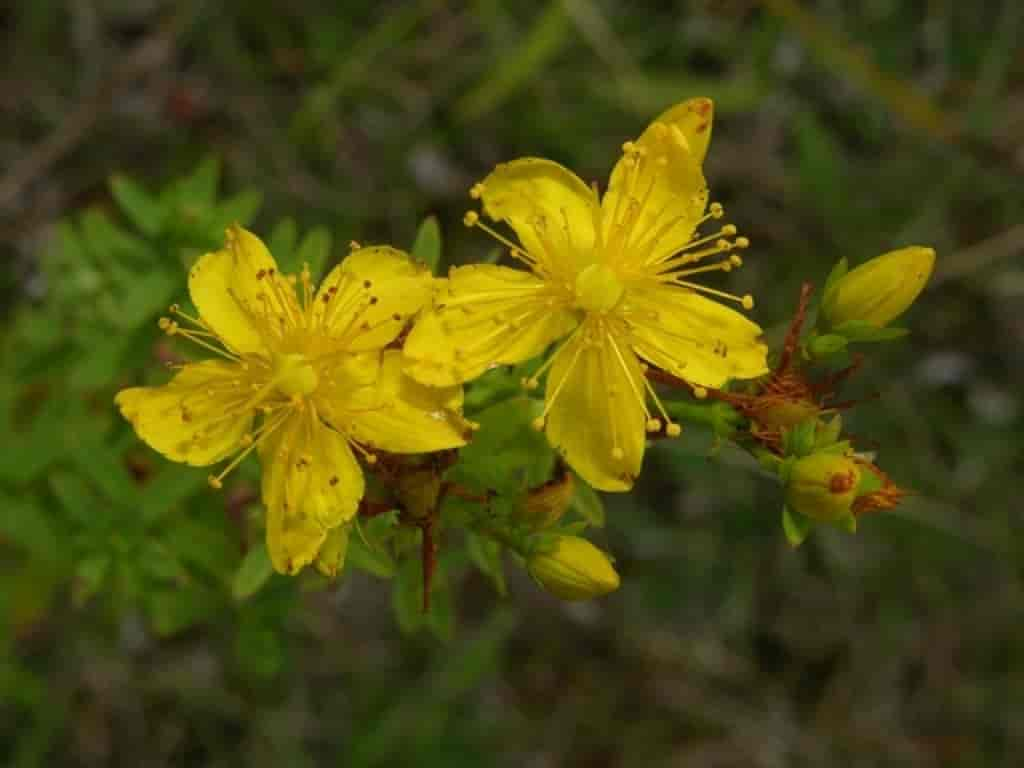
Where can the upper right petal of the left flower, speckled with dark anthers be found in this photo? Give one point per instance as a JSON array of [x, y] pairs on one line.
[[377, 290]]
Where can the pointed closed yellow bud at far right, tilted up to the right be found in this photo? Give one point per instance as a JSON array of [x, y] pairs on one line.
[[880, 290]]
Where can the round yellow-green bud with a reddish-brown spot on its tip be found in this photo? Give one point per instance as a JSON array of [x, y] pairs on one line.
[[823, 487]]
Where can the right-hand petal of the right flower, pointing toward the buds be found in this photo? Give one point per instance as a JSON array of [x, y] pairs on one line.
[[694, 337]]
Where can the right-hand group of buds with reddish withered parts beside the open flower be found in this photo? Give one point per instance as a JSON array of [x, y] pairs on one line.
[[792, 417]]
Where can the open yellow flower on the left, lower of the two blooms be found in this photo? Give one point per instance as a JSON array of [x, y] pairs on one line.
[[301, 377]]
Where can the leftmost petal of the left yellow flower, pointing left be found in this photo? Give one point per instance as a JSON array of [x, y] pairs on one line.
[[198, 418]]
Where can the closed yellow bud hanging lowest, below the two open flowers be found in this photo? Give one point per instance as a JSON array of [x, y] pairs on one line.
[[574, 570]]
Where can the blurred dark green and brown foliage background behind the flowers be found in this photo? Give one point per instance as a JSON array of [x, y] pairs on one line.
[[131, 133]]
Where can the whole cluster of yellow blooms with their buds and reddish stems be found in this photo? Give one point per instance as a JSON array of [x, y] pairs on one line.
[[326, 382]]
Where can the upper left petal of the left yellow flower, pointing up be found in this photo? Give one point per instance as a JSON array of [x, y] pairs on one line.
[[240, 294]]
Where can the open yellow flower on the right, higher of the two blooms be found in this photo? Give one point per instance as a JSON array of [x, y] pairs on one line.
[[612, 279]]
